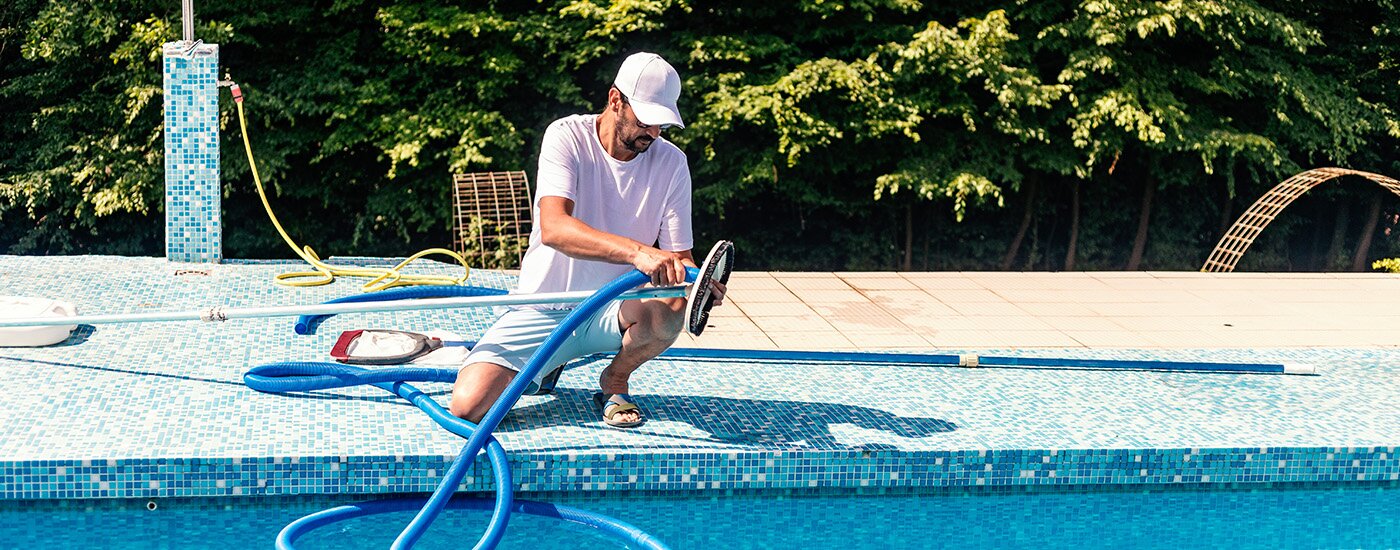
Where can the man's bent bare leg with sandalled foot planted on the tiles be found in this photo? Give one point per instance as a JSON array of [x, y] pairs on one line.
[[649, 328]]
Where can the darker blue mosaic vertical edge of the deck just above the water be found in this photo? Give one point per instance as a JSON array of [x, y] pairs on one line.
[[696, 472]]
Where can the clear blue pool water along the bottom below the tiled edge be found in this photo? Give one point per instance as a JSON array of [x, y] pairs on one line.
[[1304, 517]]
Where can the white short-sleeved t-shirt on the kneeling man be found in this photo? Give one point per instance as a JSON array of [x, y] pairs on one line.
[[646, 199]]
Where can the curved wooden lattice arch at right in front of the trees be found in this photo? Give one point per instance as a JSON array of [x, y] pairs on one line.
[[1233, 247]]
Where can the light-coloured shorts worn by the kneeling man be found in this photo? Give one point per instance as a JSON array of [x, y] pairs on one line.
[[516, 337]]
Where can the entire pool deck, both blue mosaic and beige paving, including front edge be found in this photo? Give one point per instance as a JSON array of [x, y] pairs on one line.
[[160, 411]]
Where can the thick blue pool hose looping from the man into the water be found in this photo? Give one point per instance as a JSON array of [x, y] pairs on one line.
[[297, 377]]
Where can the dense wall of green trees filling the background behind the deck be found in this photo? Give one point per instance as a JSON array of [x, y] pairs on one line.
[[815, 129]]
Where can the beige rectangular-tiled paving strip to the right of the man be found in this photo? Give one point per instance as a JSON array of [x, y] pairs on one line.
[[1112, 310]]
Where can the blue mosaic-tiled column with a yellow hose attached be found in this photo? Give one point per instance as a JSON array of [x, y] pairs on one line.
[[192, 191]]
